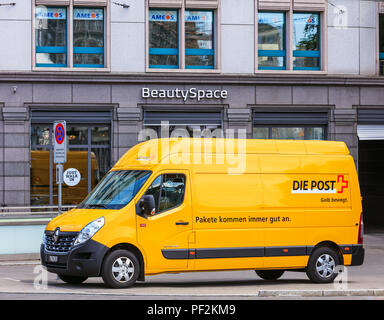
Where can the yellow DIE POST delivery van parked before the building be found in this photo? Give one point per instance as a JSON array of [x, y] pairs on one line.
[[188, 204]]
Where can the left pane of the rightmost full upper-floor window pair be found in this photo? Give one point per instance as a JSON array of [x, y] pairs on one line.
[[271, 40]]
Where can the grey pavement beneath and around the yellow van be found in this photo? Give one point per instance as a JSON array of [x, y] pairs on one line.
[[365, 280]]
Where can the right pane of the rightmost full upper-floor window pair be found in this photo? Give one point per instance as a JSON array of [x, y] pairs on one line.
[[306, 41]]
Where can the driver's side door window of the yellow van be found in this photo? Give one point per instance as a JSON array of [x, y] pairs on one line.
[[168, 191]]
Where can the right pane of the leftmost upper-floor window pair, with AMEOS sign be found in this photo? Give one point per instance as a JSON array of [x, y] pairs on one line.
[[88, 37]]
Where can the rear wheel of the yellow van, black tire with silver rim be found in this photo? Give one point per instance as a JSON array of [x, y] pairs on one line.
[[322, 265]]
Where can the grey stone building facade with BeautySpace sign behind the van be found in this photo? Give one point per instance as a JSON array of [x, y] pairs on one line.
[[270, 69]]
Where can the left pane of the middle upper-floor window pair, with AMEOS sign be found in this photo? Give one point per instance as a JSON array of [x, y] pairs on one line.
[[163, 39]]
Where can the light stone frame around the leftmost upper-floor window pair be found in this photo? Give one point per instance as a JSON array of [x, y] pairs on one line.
[[70, 48]]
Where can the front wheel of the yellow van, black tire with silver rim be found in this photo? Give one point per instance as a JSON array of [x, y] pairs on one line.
[[120, 269]]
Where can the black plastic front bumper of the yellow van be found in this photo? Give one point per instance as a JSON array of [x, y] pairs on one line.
[[83, 260]]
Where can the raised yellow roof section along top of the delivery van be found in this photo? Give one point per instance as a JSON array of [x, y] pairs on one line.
[[152, 151]]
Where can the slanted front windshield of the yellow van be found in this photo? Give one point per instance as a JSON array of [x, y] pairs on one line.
[[116, 189]]
